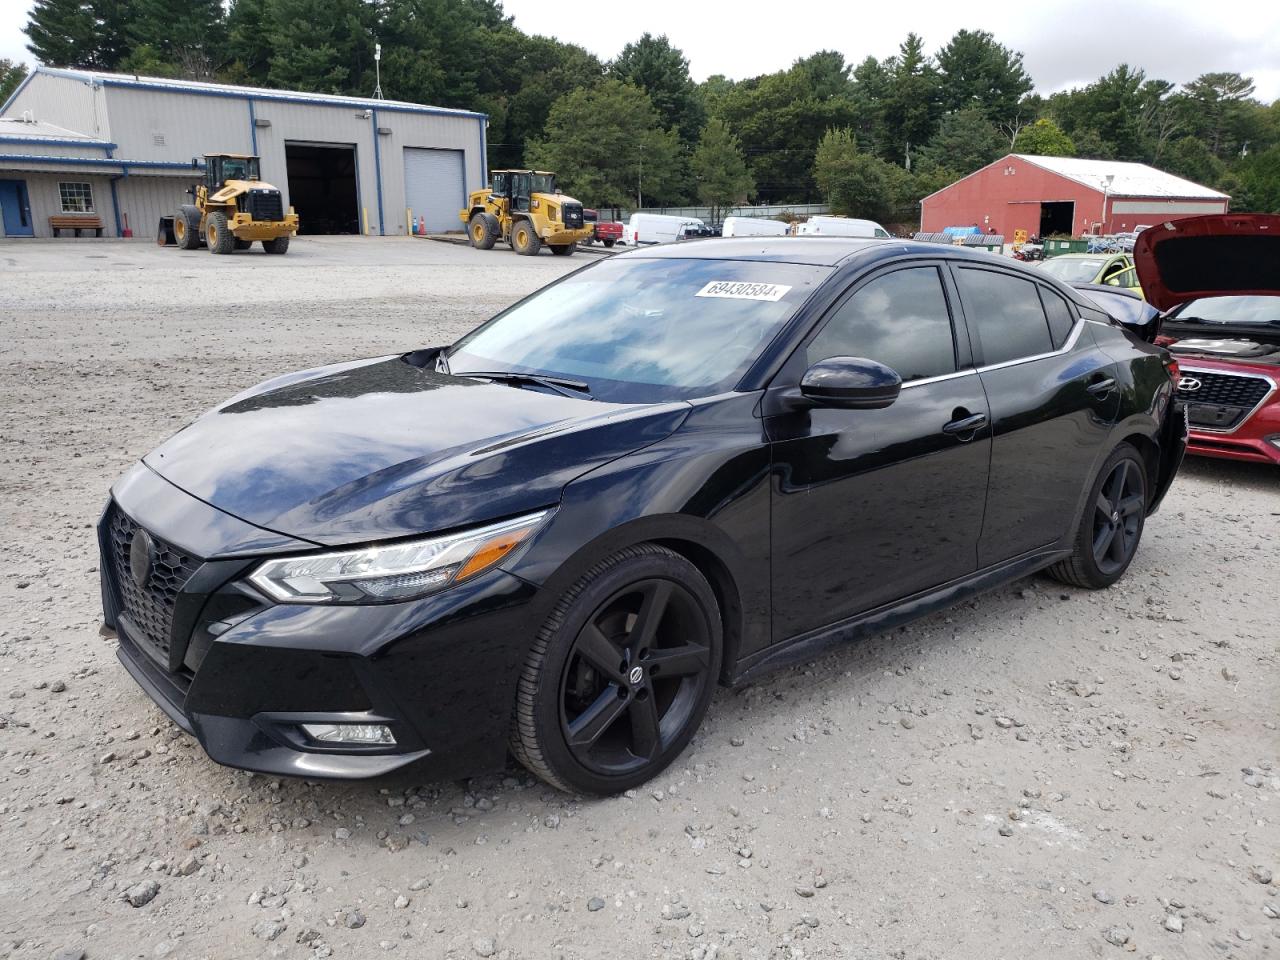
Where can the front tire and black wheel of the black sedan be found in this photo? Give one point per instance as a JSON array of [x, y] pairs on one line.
[[620, 675]]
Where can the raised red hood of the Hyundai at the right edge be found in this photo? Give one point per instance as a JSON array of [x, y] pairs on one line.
[[1209, 257]]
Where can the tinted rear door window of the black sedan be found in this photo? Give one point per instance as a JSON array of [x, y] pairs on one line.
[[1005, 313]]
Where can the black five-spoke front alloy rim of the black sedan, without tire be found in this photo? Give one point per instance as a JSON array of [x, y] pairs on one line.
[[637, 671]]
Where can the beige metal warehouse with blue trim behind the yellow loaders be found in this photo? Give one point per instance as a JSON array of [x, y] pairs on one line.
[[122, 148]]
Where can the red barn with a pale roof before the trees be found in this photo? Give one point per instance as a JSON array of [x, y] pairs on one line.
[[1059, 195]]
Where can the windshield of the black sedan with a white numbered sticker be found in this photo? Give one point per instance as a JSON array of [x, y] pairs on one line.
[[644, 331]]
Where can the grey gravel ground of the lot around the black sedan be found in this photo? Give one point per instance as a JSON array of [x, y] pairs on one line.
[[1043, 772]]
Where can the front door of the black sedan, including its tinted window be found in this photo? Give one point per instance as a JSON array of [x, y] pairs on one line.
[[872, 506]]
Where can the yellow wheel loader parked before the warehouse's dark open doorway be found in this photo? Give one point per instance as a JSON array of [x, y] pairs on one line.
[[234, 208]]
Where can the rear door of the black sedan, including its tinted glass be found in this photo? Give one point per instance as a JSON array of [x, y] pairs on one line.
[[1054, 396]]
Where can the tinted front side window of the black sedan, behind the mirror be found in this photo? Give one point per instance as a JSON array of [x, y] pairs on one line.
[[899, 319]]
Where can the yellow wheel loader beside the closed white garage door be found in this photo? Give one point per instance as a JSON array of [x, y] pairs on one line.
[[525, 209]]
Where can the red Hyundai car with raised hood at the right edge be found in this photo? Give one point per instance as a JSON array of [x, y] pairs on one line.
[[1218, 282]]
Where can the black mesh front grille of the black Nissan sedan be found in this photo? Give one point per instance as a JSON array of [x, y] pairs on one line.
[[149, 607]]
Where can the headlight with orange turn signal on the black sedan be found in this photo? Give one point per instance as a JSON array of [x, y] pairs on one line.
[[397, 572]]
